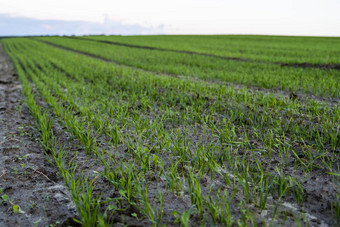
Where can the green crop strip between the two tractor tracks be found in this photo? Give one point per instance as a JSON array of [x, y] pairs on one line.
[[317, 81]]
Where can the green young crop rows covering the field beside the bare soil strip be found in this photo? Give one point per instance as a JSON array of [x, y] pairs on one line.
[[200, 128]]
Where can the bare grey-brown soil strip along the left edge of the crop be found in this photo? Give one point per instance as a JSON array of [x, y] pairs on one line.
[[27, 179]]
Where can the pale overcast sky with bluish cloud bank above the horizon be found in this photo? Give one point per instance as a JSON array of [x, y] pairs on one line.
[[288, 17]]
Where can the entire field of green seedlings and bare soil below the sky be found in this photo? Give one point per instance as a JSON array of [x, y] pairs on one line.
[[170, 131]]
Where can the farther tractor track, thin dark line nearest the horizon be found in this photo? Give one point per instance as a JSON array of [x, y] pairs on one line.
[[282, 64]]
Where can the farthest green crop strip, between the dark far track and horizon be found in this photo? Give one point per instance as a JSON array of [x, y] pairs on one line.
[[258, 48]]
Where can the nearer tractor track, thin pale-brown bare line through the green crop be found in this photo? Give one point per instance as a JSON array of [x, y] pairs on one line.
[[300, 96]]
